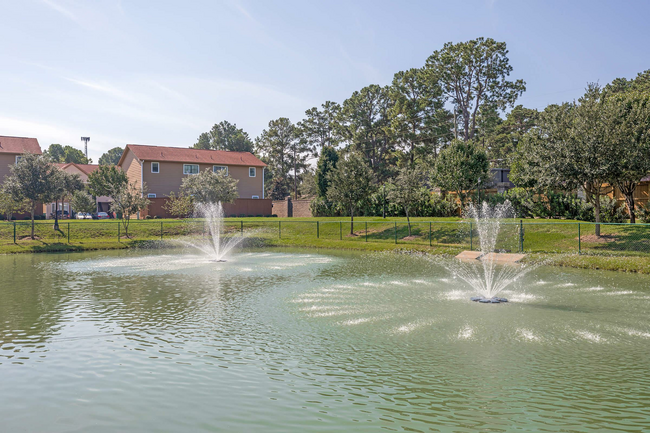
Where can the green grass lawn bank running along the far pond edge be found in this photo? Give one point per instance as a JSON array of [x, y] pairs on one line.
[[620, 247]]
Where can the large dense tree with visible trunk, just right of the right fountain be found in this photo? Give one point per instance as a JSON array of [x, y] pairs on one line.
[[570, 149]]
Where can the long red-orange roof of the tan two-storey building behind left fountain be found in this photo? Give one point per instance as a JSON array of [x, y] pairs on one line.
[[190, 155]]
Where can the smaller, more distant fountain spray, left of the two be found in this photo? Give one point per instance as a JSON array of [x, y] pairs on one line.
[[213, 244]]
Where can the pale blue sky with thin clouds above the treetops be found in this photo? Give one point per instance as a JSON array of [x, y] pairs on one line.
[[161, 72]]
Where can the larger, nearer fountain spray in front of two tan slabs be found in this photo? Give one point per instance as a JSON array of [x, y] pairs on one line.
[[486, 271]]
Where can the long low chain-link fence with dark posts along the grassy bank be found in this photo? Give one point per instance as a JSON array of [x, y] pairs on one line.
[[531, 236]]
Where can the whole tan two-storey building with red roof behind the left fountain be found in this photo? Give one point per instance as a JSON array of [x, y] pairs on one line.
[[162, 170]]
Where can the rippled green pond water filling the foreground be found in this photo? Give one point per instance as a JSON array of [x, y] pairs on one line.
[[295, 340]]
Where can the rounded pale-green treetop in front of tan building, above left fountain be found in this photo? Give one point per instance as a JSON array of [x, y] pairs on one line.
[[210, 187]]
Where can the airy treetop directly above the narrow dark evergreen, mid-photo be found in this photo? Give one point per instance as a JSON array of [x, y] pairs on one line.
[[319, 128]]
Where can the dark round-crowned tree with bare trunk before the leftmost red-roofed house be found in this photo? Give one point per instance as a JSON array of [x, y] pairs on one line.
[[33, 178]]
